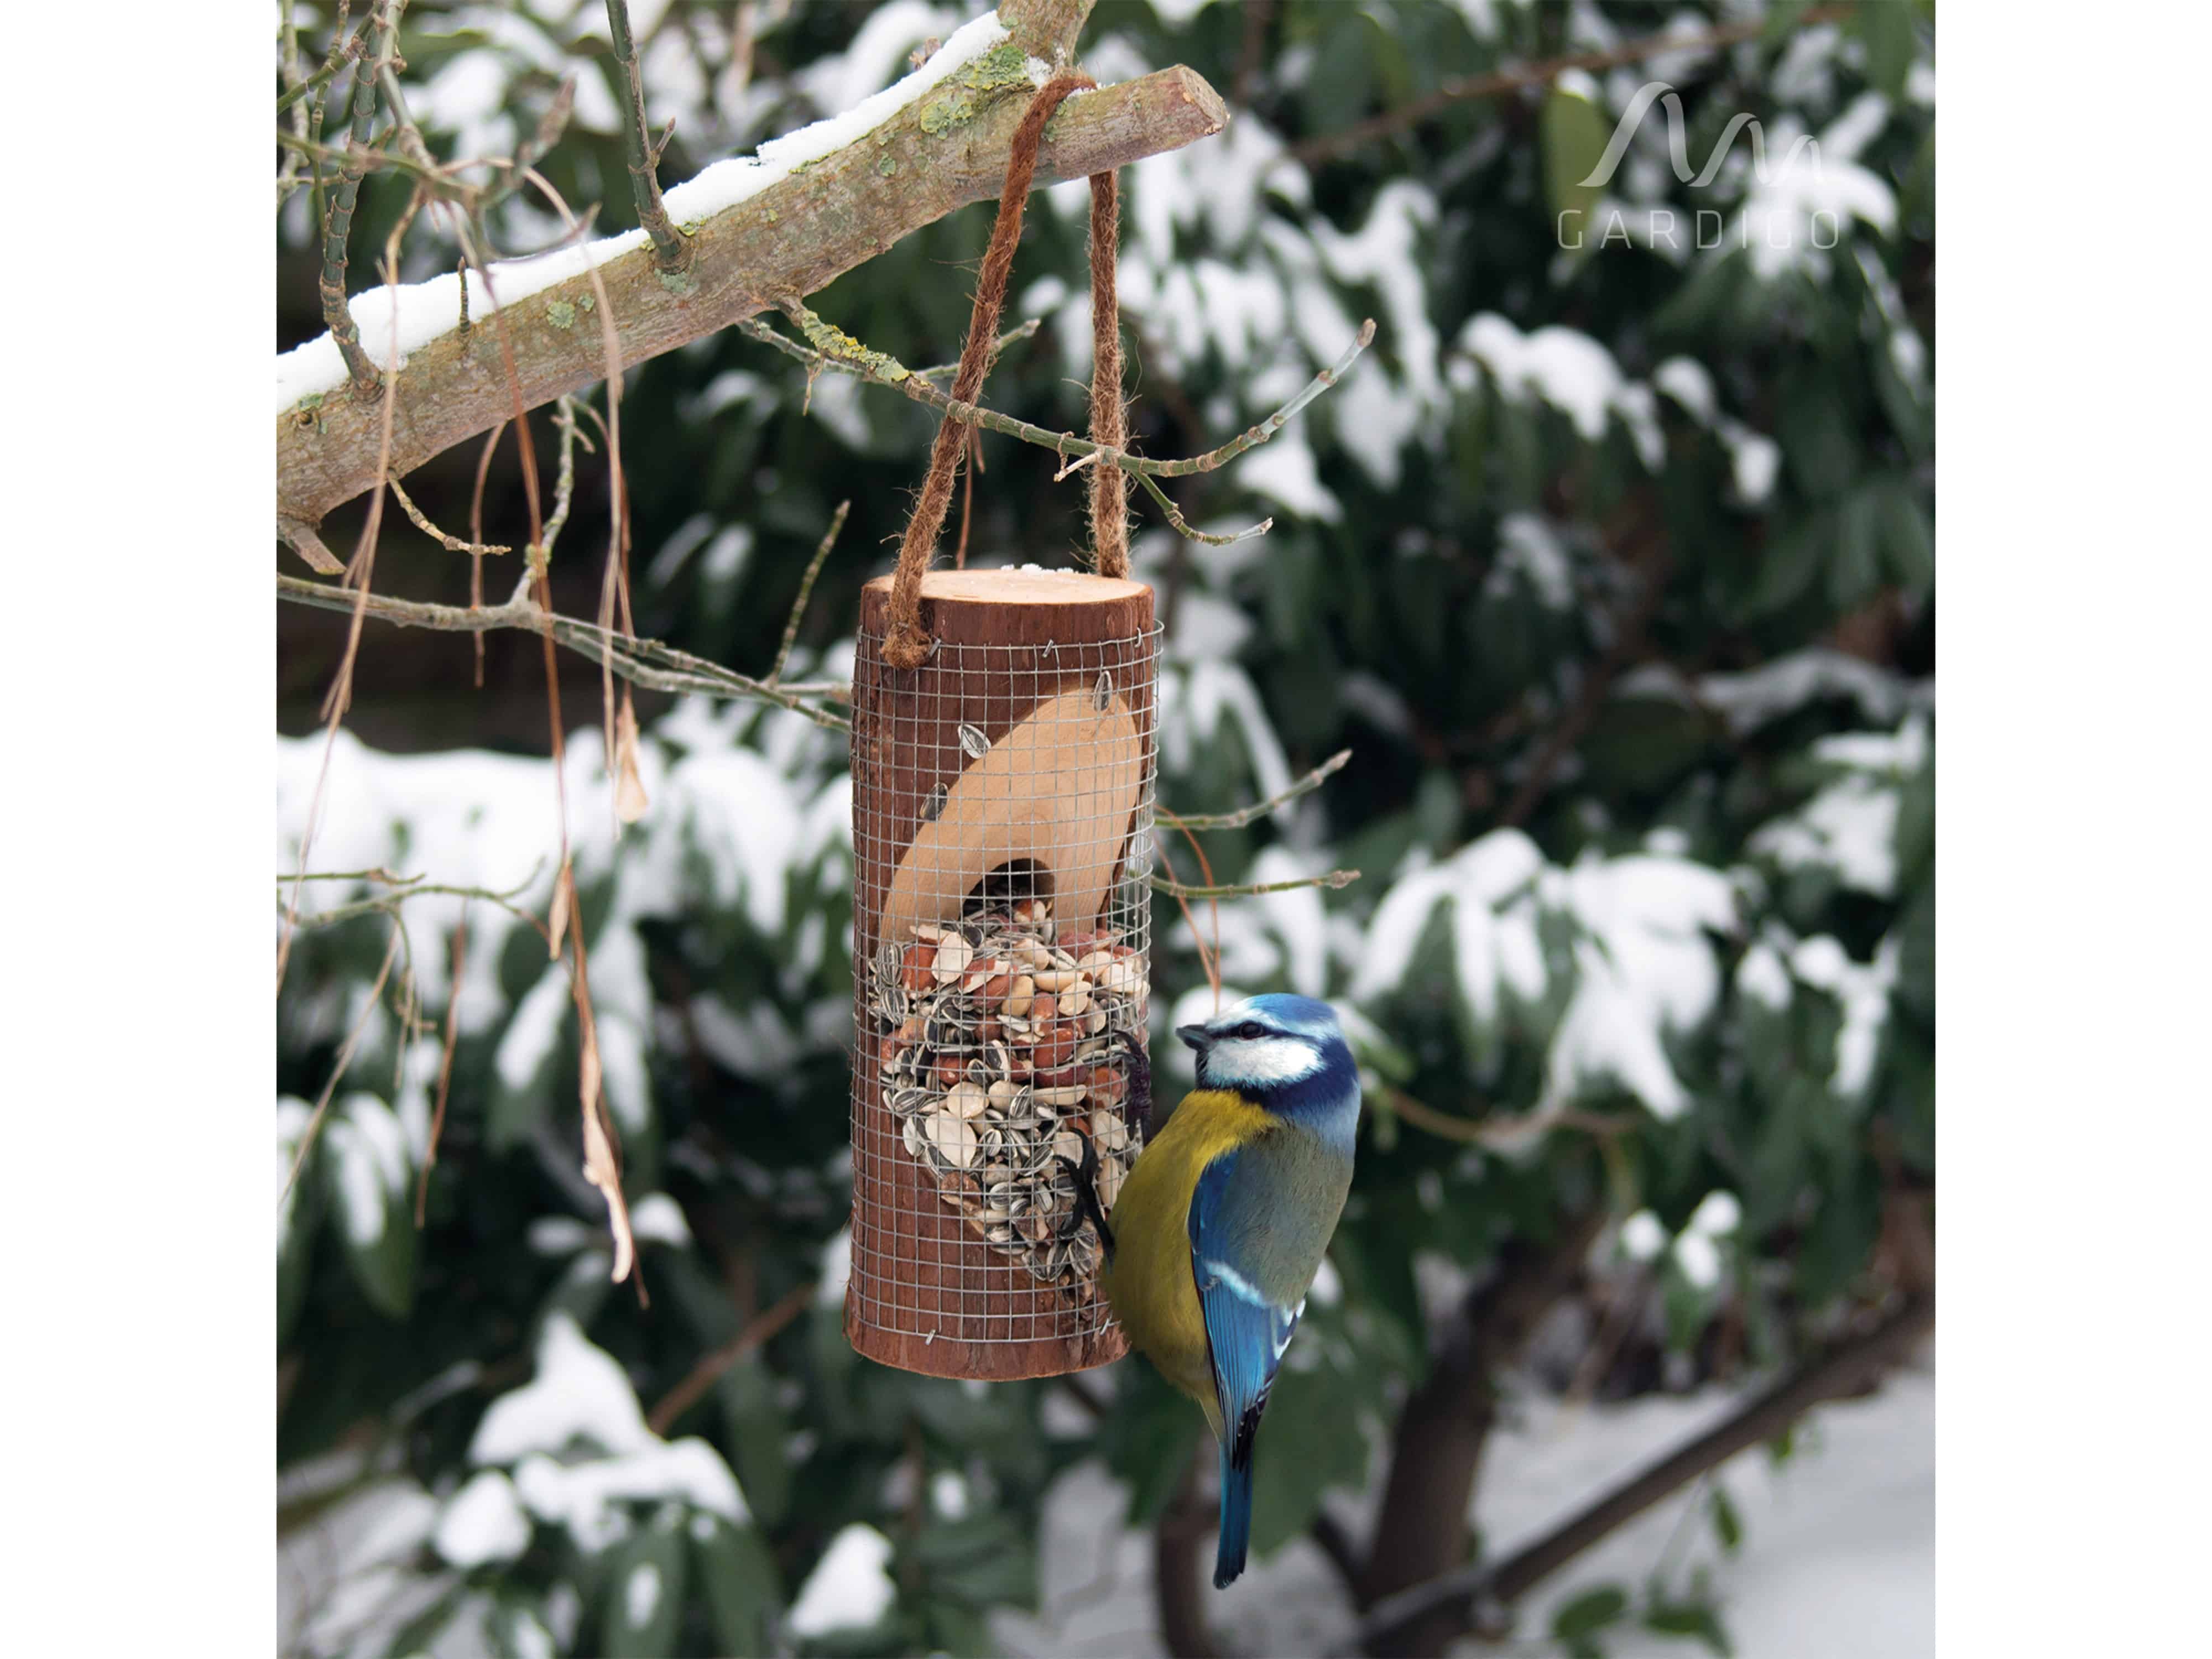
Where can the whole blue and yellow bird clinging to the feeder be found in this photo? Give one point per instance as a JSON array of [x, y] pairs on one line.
[[1222, 1224]]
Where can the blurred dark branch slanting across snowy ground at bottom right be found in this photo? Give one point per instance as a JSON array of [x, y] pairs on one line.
[[1837, 1375]]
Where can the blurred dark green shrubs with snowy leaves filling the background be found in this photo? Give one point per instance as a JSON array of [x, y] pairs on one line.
[[1611, 565]]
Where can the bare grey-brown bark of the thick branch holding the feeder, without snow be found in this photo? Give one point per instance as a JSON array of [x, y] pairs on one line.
[[789, 240]]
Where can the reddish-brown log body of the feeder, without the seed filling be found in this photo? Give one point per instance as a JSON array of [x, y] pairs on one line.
[[1019, 760]]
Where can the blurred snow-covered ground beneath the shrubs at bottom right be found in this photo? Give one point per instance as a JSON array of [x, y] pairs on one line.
[[1837, 1554]]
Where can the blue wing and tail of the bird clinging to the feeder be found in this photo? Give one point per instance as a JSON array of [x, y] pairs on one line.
[[1246, 1333]]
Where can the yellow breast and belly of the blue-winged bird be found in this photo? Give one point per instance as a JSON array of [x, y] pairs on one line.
[[1149, 1282]]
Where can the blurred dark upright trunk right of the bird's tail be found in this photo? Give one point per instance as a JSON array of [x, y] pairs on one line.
[[1437, 1454]]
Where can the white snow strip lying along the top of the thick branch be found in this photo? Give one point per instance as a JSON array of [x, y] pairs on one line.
[[397, 322]]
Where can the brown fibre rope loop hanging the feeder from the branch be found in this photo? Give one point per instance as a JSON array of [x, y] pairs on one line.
[[906, 645]]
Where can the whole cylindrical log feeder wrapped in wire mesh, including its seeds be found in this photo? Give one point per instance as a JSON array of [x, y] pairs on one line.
[[1003, 811]]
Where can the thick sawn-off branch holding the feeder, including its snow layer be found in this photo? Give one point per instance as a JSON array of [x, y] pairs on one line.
[[786, 222]]
